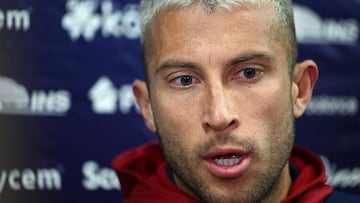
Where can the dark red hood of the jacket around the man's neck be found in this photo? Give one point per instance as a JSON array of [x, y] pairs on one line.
[[143, 177]]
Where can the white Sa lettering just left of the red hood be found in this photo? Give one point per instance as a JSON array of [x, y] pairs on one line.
[[99, 178]]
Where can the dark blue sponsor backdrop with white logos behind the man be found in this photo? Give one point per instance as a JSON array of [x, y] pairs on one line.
[[67, 109]]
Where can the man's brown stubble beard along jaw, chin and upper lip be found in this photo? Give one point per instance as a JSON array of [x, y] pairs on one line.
[[185, 162]]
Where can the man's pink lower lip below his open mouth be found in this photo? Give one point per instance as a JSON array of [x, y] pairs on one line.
[[228, 171]]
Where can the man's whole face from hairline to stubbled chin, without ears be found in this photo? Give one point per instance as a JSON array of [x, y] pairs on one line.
[[220, 94]]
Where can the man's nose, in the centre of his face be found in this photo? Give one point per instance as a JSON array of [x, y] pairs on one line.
[[219, 115]]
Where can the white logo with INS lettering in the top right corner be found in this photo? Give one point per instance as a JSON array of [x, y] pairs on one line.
[[324, 30]]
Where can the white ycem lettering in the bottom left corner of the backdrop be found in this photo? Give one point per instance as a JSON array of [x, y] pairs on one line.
[[30, 179]]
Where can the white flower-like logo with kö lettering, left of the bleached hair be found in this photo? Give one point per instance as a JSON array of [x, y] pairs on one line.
[[83, 20]]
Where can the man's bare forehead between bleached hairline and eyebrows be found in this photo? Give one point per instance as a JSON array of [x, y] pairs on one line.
[[182, 31]]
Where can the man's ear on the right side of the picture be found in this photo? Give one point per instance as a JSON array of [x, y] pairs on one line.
[[305, 76]]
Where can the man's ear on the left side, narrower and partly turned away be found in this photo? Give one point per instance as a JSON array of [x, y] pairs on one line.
[[142, 97]]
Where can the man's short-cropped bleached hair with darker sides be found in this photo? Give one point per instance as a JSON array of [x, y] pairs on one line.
[[285, 20]]
